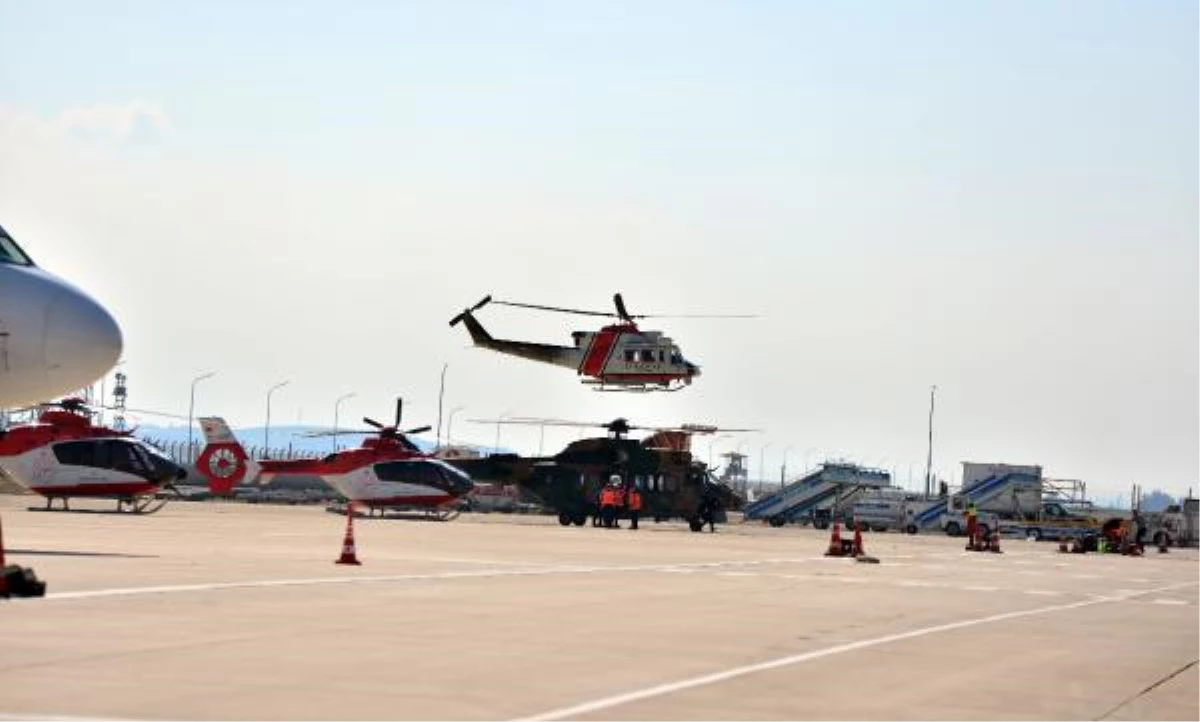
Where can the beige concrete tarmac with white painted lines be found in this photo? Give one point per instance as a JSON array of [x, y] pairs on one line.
[[212, 611]]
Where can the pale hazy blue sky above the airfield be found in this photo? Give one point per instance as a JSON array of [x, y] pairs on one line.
[[999, 198]]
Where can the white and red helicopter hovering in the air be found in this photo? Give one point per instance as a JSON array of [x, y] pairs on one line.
[[617, 358]]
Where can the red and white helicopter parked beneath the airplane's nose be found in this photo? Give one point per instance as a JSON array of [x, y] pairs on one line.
[[65, 456]]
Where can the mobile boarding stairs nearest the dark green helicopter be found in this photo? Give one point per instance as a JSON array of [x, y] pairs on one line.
[[820, 489]]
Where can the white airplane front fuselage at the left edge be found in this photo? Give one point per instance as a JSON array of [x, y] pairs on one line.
[[55, 339]]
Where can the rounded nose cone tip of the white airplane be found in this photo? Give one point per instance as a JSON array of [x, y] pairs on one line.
[[83, 342]]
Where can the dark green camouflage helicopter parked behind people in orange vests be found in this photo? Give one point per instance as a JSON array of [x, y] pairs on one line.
[[674, 485]]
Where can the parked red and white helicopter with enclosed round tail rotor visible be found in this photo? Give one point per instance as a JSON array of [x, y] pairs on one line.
[[388, 472]]
